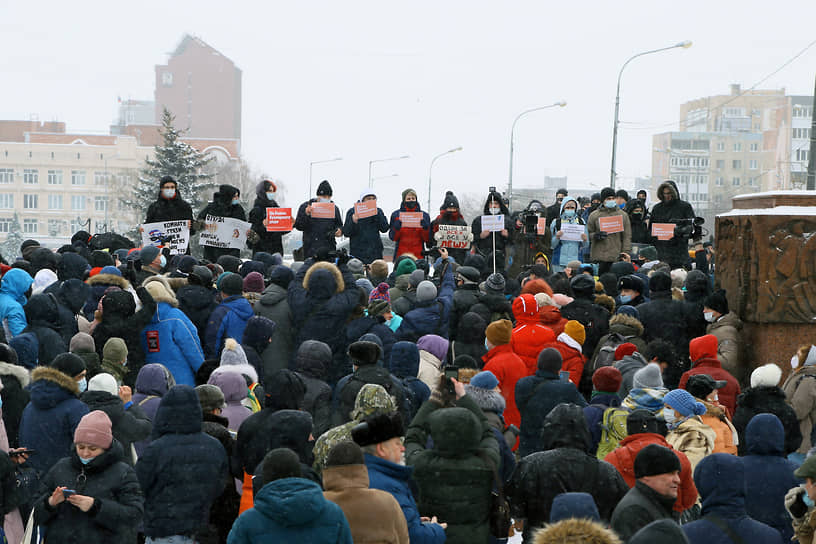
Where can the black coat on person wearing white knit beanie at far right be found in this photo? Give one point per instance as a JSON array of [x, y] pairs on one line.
[[765, 400]]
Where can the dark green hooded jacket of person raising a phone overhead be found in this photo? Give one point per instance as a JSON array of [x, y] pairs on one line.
[[455, 478]]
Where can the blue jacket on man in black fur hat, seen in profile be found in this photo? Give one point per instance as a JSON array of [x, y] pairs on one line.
[[394, 478]]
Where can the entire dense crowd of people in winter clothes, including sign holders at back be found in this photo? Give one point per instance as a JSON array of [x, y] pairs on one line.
[[565, 389]]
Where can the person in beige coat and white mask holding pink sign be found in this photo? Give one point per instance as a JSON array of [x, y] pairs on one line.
[[609, 231]]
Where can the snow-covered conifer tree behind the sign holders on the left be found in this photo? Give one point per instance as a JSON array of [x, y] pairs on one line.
[[178, 159]]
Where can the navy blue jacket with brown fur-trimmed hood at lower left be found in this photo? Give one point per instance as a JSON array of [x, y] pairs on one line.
[[50, 418]]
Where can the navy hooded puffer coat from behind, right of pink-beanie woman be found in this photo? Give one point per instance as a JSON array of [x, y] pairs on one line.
[[183, 470]]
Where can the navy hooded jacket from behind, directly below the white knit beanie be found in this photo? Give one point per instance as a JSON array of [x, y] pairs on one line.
[[768, 473]]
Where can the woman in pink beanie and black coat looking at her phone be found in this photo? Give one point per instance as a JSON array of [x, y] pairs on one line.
[[92, 495]]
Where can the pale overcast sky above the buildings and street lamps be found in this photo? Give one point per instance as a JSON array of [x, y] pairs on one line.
[[368, 80]]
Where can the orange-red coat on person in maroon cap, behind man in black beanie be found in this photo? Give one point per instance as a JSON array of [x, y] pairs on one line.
[[623, 459]]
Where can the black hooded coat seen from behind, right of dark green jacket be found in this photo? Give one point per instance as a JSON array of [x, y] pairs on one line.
[[565, 465]]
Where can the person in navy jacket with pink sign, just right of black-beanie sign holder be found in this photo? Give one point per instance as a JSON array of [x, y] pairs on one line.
[[364, 223]]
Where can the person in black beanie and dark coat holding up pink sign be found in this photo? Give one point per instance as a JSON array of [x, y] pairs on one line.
[[319, 225]]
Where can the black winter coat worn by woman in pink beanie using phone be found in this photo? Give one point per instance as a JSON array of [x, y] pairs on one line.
[[118, 502]]
